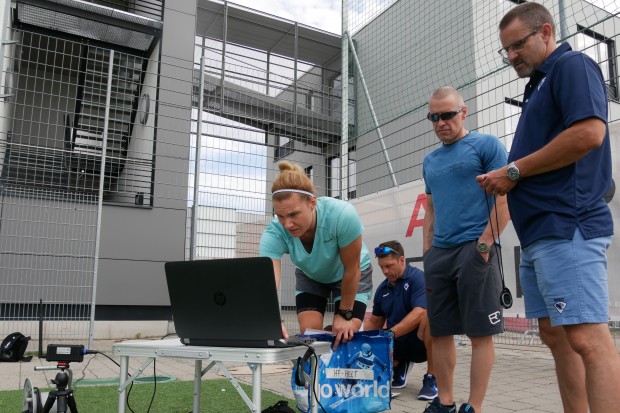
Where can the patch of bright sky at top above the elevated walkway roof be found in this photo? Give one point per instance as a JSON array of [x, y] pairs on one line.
[[322, 14]]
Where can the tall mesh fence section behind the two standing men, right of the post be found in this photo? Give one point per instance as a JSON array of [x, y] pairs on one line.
[[397, 53]]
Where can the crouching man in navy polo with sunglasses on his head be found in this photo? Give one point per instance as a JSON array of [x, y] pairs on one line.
[[400, 305]]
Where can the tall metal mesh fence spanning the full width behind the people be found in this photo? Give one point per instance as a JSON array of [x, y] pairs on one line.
[[194, 144]]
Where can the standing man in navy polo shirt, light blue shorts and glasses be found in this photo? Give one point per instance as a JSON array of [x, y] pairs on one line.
[[559, 170]]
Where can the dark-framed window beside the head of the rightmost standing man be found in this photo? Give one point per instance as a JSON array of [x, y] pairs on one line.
[[602, 50]]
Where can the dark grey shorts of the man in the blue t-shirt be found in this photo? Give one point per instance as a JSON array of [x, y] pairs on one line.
[[462, 291]]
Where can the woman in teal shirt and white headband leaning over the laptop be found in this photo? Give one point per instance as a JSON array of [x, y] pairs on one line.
[[323, 237]]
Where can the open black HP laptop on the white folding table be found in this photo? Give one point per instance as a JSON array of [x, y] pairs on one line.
[[225, 302]]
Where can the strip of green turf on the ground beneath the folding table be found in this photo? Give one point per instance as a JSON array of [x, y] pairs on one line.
[[217, 396]]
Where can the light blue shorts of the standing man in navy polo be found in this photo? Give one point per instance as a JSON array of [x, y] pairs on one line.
[[566, 280]]
